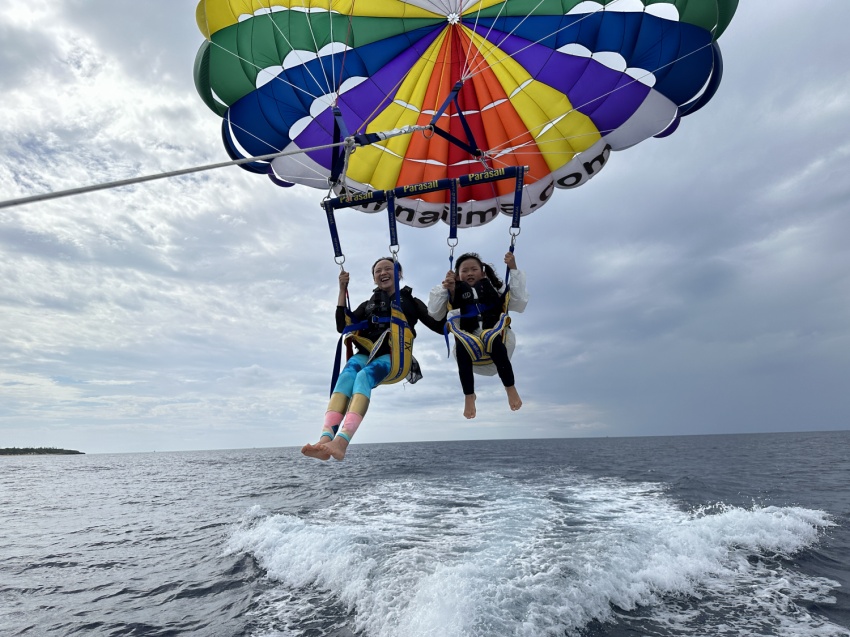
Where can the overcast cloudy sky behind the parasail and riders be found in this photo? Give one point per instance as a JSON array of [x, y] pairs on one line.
[[700, 284]]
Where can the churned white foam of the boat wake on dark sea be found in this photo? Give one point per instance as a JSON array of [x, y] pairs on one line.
[[494, 556]]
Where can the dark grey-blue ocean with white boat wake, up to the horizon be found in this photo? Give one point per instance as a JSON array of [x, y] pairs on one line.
[[610, 537]]
